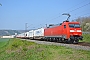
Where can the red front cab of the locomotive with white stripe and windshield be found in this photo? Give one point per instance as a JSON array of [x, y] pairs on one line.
[[72, 31]]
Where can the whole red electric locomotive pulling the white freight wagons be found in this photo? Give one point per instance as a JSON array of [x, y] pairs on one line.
[[69, 32]]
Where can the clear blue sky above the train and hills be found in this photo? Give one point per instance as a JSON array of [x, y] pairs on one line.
[[14, 14]]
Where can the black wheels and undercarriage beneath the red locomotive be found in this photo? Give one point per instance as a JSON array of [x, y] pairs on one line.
[[72, 39]]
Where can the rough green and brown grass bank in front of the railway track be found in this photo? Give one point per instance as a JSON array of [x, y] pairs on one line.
[[17, 49]]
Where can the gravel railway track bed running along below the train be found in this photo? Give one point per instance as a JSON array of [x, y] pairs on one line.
[[79, 46]]
